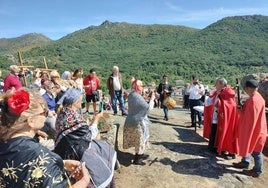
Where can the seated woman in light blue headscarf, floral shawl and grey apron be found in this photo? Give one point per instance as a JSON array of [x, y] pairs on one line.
[[75, 140]]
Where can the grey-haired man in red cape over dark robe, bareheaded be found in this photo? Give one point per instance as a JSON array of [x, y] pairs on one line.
[[220, 117]]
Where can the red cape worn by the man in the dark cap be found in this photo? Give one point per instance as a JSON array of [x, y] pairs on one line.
[[252, 128]]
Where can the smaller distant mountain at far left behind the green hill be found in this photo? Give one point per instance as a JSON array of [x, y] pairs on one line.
[[24, 42]]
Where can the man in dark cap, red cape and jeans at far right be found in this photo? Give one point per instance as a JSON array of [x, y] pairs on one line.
[[252, 130]]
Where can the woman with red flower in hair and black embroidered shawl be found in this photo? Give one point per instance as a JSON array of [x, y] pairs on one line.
[[23, 161]]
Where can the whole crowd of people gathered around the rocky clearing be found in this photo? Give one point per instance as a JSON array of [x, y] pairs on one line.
[[54, 105]]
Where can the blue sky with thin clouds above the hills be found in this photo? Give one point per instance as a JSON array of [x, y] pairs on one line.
[[58, 18]]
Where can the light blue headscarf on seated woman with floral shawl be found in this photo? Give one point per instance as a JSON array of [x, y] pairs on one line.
[[70, 96]]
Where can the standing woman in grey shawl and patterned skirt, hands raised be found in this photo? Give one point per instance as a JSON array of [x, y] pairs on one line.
[[136, 130]]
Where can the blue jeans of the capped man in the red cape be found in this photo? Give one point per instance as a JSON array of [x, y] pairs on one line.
[[258, 161]]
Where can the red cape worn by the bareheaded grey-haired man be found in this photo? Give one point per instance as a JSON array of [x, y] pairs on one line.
[[227, 121]]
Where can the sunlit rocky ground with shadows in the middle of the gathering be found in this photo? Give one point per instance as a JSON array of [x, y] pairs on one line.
[[178, 158]]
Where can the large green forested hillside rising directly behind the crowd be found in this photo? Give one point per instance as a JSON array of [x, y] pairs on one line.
[[231, 47]]
